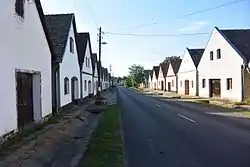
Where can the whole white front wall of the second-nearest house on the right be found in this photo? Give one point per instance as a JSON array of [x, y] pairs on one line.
[[187, 71]]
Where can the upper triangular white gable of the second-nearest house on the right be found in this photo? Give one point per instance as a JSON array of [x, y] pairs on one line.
[[187, 64]]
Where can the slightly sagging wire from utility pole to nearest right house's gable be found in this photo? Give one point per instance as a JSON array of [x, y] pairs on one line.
[[156, 35]]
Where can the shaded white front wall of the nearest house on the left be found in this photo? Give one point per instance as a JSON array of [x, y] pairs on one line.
[[23, 46]]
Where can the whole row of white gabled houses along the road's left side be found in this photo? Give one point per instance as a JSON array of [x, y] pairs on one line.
[[45, 64]]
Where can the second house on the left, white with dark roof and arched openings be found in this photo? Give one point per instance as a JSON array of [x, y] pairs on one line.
[[66, 73]]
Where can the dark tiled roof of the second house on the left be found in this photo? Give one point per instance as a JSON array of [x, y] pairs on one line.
[[58, 27]]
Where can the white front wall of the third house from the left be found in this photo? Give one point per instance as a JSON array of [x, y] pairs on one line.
[[89, 70]]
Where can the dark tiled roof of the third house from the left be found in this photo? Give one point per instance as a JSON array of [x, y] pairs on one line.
[[82, 40]]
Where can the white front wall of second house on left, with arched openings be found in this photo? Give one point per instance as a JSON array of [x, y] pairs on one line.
[[69, 68]]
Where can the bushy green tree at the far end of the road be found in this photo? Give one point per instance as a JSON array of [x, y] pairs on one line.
[[136, 72]]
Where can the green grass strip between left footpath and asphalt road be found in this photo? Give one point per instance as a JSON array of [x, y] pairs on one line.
[[106, 145]]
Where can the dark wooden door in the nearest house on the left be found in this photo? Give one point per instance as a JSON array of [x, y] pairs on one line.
[[24, 99]]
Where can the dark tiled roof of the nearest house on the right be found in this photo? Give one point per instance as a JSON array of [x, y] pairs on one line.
[[240, 39]]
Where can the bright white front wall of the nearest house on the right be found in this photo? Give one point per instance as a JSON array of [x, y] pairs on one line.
[[229, 66]]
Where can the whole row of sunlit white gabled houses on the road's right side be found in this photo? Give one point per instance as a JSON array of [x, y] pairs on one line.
[[219, 70]]
